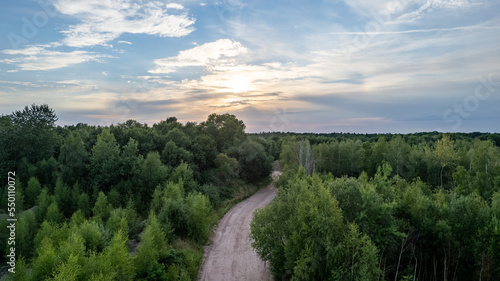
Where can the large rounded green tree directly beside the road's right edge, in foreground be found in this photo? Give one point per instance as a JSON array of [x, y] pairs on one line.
[[297, 232]]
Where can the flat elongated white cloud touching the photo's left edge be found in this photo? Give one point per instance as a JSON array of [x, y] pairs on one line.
[[40, 58]]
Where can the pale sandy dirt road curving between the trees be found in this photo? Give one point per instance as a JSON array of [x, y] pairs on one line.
[[231, 256]]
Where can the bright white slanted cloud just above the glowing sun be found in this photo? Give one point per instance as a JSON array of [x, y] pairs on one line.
[[203, 55]]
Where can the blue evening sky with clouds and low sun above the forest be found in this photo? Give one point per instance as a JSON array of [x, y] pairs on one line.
[[359, 66]]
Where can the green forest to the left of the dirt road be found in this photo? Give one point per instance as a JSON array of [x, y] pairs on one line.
[[122, 202]]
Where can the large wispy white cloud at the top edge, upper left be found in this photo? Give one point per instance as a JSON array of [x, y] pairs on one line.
[[105, 20]]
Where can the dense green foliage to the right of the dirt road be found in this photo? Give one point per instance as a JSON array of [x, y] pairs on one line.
[[388, 207]]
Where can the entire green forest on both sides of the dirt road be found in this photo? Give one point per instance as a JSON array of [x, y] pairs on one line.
[[137, 202]]
